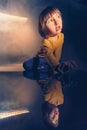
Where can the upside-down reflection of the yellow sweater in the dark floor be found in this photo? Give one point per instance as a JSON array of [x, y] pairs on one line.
[[54, 94]]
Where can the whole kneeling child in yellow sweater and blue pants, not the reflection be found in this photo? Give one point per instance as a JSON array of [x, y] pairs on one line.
[[50, 27]]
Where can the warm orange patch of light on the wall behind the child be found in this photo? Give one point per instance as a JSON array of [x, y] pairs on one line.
[[17, 36]]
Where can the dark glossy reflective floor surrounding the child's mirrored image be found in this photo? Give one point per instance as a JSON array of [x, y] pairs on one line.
[[20, 90]]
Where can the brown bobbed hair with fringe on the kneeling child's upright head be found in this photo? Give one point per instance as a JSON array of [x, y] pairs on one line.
[[43, 17]]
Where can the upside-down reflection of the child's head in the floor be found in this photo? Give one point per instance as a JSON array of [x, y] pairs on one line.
[[50, 114]]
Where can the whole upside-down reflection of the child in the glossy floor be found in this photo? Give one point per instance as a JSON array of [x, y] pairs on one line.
[[53, 97]]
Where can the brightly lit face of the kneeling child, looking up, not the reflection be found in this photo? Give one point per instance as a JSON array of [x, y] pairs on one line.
[[54, 24]]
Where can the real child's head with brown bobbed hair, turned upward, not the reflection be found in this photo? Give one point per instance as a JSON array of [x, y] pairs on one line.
[[50, 22]]
